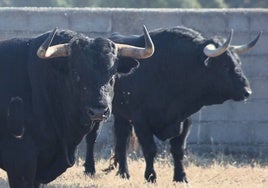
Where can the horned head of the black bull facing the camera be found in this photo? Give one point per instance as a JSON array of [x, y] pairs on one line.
[[93, 65]]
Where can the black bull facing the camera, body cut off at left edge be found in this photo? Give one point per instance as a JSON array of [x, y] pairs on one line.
[[54, 88]]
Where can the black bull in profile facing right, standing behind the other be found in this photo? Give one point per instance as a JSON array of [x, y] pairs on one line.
[[186, 72]]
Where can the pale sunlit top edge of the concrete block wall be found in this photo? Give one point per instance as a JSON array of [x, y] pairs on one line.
[[40, 9]]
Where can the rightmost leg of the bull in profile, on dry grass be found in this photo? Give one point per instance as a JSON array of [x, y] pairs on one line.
[[177, 150]]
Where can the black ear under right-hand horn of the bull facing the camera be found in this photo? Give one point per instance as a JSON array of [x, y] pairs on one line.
[[127, 65]]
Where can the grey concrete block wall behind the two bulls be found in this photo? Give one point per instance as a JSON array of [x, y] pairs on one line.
[[232, 126]]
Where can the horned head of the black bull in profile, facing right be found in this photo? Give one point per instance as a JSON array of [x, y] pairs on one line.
[[231, 81]]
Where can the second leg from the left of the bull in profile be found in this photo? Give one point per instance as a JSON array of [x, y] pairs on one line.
[[123, 131]]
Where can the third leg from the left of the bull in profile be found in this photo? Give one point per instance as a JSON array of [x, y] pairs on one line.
[[149, 149]]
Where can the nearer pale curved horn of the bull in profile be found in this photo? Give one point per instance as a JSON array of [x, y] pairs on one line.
[[211, 51]]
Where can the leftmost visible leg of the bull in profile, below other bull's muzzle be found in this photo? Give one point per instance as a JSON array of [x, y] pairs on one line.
[[90, 141]]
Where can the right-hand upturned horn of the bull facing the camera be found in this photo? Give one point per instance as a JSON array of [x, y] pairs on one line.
[[137, 52]]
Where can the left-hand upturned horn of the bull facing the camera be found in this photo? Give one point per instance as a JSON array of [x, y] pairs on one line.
[[46, 51]]
